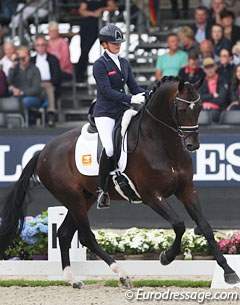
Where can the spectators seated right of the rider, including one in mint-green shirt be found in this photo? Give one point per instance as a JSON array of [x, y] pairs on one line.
[[209, 49]]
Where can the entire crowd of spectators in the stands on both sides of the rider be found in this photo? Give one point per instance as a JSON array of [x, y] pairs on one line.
[[209, 49]]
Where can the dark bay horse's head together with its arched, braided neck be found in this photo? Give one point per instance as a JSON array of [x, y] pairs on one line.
[[176, 106]]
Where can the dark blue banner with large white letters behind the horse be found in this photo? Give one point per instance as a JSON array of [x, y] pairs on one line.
[[216, 163]]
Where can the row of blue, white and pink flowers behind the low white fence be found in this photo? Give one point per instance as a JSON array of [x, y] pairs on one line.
[[34, 240]]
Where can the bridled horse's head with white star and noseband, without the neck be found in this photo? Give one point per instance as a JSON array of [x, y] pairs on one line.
[[187, 106]]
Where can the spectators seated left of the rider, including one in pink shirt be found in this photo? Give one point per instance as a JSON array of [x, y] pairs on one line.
[[36, 80]]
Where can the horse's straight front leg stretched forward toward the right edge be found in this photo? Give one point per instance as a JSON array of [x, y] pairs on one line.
[[189, 197]]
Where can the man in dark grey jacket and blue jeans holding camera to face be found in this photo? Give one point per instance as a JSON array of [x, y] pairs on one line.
[[25, 80]]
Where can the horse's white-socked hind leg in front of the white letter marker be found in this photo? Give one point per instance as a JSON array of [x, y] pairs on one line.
[[65, 235]]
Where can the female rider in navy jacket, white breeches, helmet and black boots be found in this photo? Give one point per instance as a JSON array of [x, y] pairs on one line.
[[111, 73]]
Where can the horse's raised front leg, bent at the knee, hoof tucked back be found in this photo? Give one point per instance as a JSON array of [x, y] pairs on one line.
[[163, 208]]
